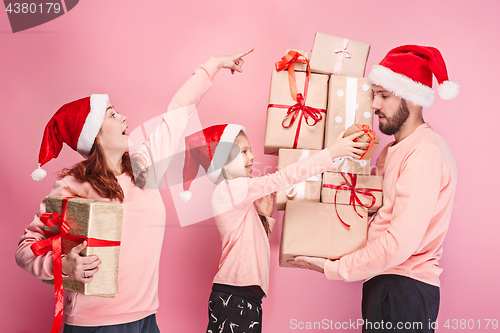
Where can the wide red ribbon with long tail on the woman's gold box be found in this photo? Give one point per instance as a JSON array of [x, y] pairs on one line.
[[53, 242]]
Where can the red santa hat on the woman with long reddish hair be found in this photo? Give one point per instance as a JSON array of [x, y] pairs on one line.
[[76, 124]]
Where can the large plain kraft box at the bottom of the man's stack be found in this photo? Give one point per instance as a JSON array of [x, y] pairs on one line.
[[314, 229]]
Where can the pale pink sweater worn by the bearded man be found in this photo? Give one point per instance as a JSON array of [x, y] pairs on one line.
[[405, 237]]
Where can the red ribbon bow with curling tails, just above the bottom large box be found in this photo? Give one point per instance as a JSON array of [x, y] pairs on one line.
[[350, 185]]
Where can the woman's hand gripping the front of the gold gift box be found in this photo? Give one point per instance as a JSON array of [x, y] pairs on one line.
[[78, 267]]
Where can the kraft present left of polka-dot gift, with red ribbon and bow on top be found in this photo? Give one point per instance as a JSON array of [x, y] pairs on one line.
[[296, 110]]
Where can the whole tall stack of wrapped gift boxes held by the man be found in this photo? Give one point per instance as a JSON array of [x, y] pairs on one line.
[[310, 103]]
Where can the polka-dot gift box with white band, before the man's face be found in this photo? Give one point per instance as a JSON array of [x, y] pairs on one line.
[[349, 102]]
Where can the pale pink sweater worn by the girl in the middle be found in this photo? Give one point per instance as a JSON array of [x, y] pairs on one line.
[[245, 256]]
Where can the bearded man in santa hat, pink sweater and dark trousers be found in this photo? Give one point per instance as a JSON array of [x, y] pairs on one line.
[[400, 262]]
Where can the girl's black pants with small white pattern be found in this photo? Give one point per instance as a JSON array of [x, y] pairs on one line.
[[229, 313]]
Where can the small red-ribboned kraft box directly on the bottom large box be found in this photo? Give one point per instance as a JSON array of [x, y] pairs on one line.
[[352, 189]]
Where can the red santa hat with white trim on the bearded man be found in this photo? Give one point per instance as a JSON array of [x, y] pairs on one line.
[[407, 72]]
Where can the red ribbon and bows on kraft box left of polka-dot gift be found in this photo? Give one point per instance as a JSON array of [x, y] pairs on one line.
[[300, 109]]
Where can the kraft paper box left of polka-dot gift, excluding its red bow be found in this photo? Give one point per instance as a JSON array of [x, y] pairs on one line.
[[310, 137]]
